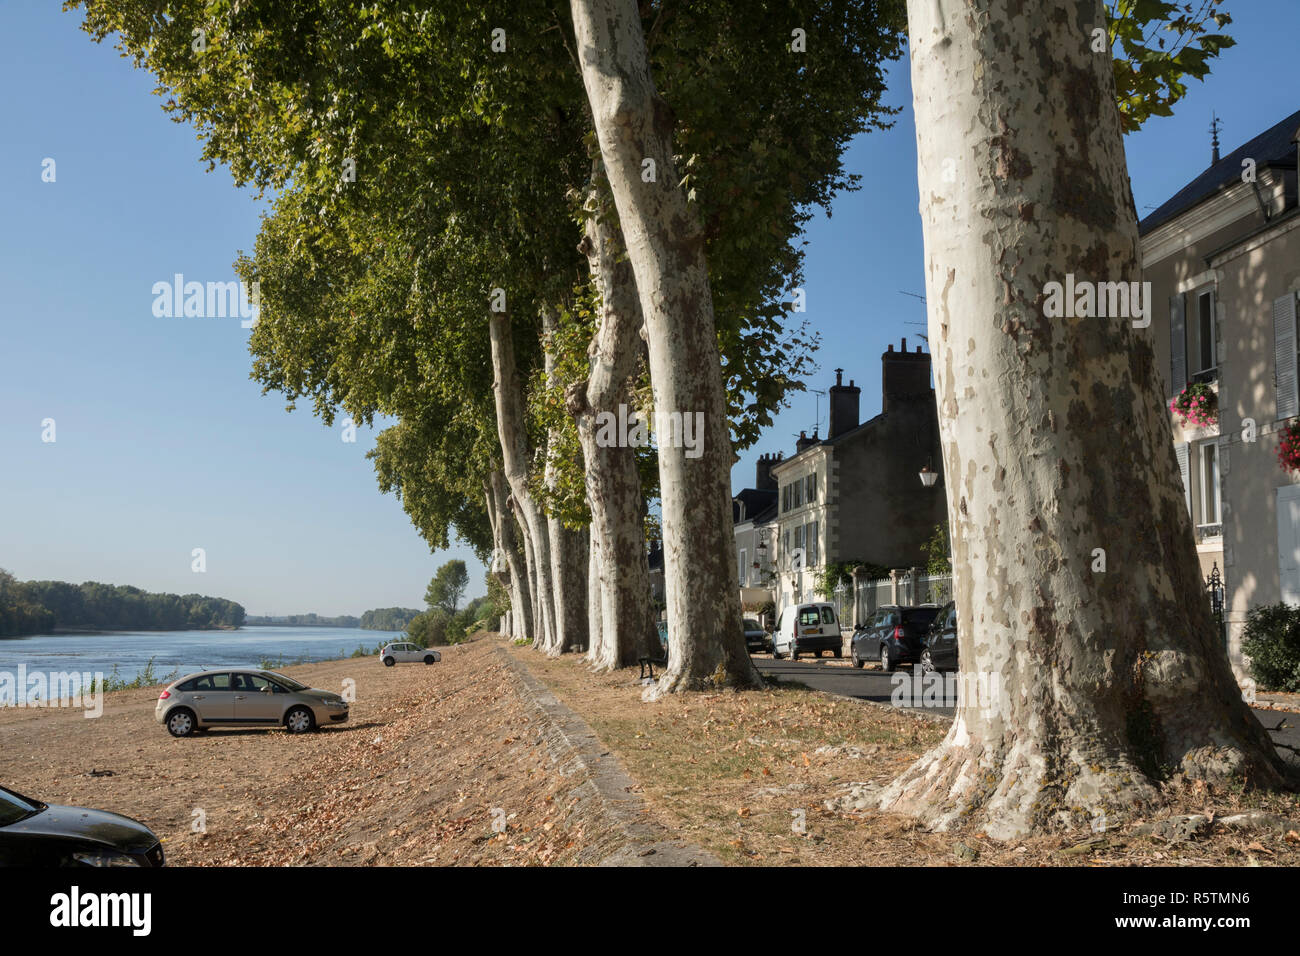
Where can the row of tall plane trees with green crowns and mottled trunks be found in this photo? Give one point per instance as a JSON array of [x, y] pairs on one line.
[[502, 223]]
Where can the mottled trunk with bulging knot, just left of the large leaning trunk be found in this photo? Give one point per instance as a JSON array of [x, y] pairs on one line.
[[613, 482]]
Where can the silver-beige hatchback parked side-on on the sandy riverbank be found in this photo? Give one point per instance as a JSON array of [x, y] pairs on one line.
[[245, 698]]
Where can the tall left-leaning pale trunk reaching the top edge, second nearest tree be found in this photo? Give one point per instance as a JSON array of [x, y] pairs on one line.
[[666, 248]]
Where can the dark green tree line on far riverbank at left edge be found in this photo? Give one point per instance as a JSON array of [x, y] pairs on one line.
[[41, 607]]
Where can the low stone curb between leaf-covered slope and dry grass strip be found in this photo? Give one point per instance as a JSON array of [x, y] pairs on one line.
[[606, 794]]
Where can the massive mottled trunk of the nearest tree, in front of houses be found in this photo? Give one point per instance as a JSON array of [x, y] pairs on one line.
[[1056, 444]]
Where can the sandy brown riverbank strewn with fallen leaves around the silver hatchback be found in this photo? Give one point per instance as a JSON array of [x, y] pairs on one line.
[[415, 776]]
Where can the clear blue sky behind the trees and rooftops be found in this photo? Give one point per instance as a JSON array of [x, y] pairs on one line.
[[164, 444]]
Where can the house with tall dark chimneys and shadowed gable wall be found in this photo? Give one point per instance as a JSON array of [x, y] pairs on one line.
[[856, 498]]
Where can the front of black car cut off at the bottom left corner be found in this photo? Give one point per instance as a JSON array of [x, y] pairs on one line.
[[37, 834]]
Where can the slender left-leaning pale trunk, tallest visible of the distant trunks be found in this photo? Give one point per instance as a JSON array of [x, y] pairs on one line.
[[514, 447]]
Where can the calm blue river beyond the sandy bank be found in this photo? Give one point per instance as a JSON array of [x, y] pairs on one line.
[[181, 651]]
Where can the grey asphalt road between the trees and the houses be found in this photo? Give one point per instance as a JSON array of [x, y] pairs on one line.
[[870, 685]]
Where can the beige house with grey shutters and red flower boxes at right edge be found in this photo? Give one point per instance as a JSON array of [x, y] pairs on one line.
[[1223, 257]]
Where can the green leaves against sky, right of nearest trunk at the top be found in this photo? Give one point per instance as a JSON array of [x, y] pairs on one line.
[[1160, 45]]
